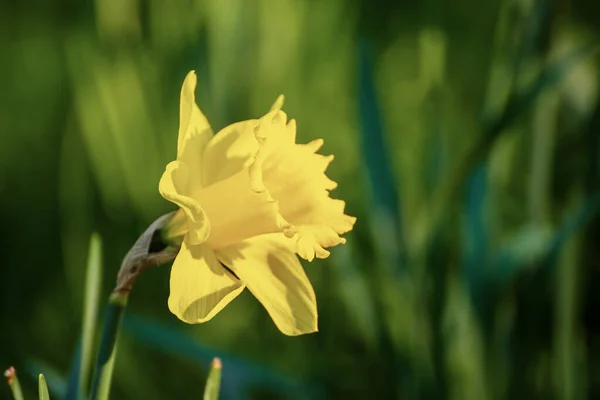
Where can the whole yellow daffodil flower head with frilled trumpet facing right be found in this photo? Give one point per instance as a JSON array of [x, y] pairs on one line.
[[250, 199]]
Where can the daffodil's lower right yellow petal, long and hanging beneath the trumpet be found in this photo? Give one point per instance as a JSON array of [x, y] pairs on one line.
[[269, 268]]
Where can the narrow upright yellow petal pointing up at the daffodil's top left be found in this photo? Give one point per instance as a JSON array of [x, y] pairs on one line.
[[194, 129]]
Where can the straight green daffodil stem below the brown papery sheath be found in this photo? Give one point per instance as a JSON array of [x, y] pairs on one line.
[[106, 355]]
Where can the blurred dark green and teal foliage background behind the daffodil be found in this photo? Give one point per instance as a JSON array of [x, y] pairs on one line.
[[467, 142]]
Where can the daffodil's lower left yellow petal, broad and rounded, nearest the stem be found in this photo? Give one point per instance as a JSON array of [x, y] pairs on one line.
[[200, 286]]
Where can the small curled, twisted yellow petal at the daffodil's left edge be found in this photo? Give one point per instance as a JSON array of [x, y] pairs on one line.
[[174, 186]]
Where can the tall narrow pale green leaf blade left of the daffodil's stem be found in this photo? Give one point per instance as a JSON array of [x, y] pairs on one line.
[[90, 311]]
